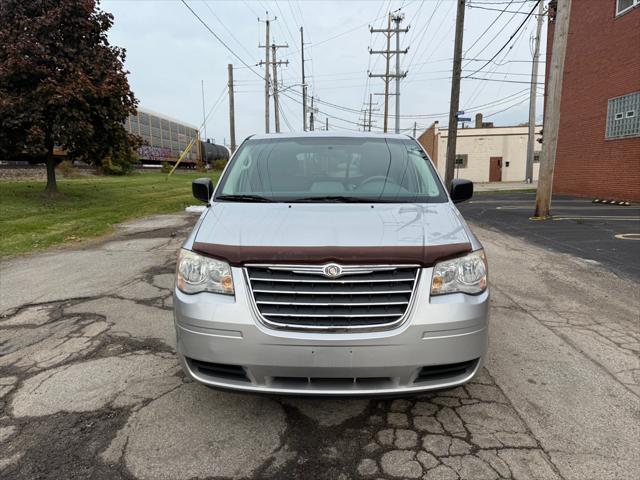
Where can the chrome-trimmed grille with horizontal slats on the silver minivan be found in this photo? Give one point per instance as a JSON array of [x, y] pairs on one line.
[[303, 297]]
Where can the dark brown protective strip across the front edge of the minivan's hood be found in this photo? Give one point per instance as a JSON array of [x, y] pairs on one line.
[[425, 256]]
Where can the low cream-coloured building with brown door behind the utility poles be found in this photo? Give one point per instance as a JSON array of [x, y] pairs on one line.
[[484, 153]]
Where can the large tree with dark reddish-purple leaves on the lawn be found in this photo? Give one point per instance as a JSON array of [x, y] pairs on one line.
[[62, 83]]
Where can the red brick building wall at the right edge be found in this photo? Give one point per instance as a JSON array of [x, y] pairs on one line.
[[598, 151]]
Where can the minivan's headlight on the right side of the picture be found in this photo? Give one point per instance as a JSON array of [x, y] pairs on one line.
[[466, 274]]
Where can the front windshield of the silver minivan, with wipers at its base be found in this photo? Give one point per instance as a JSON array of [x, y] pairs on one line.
[[326, 169]]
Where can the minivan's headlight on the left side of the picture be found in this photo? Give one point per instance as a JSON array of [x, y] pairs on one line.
[[196, 273]]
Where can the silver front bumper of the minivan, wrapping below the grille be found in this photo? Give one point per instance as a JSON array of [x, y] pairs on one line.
[[221, 343]]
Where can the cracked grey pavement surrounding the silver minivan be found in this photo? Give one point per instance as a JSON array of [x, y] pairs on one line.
[[90, 386]]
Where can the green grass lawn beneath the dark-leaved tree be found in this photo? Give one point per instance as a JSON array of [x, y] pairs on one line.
[[89, 207]]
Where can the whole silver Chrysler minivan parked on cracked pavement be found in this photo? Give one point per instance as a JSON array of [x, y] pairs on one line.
[[331, 264]]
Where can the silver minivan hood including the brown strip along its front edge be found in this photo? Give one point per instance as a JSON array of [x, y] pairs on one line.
[[349, 233]]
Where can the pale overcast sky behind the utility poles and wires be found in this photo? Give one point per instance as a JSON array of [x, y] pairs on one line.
[[169, 54]]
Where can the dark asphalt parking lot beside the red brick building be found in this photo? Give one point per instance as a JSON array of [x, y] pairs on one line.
[[605, 233]]
